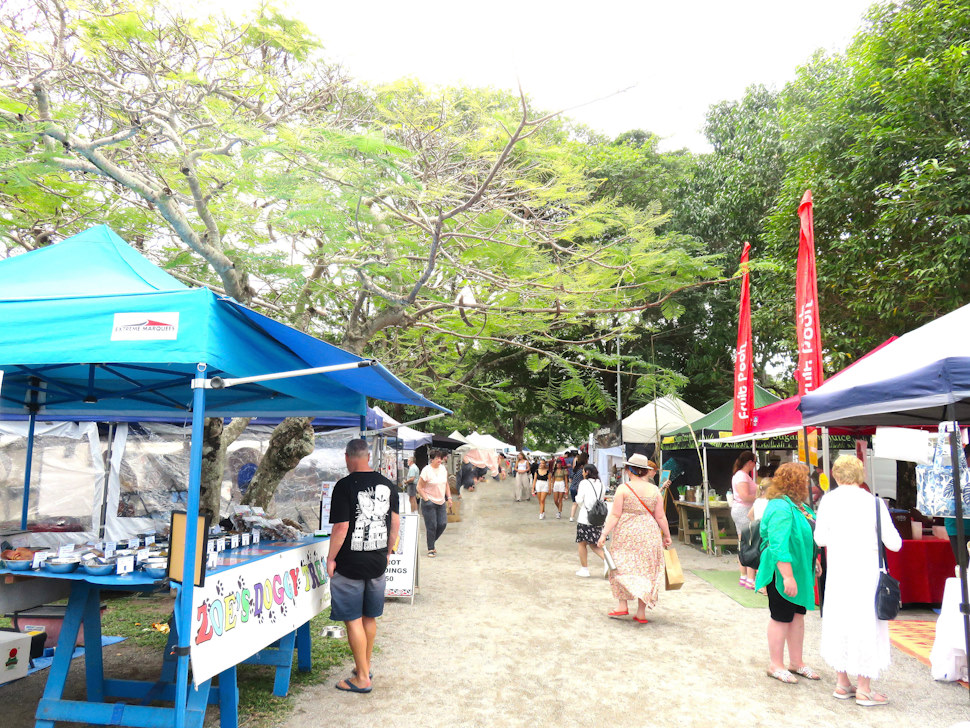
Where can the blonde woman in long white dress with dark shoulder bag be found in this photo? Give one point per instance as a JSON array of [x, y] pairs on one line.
[[854, 640]]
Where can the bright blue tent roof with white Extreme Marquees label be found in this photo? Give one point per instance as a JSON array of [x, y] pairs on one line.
[[102, 331]]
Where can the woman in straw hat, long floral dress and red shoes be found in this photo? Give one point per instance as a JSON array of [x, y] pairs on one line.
[[640, 534]]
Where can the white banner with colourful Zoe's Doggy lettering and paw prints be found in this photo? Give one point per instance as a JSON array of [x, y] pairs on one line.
[[243, 609]]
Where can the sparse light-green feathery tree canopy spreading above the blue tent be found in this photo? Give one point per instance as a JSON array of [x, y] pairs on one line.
[[435, 229]]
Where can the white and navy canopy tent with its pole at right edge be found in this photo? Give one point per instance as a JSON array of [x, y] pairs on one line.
[[921, 378]]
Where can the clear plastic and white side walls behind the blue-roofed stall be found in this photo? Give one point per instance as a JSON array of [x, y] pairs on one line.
[[147, 478]]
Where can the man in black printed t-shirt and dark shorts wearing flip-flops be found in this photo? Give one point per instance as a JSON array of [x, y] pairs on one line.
[[364, 514]]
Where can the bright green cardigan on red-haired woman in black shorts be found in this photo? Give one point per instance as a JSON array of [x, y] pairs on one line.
[[789, 539]]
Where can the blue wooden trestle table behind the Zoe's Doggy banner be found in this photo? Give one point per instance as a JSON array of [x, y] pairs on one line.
[[131, 708]]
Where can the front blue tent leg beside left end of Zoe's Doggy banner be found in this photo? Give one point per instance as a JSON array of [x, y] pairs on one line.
[[183, 603]]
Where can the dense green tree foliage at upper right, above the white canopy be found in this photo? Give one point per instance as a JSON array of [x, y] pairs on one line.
[[881, 136]]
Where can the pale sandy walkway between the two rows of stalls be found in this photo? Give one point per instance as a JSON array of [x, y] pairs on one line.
[[502, 633]]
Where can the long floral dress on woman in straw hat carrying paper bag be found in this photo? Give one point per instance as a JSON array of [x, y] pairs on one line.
[[637, 551]]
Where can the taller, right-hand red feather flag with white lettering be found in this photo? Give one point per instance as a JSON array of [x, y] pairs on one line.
[[808, 331]]
